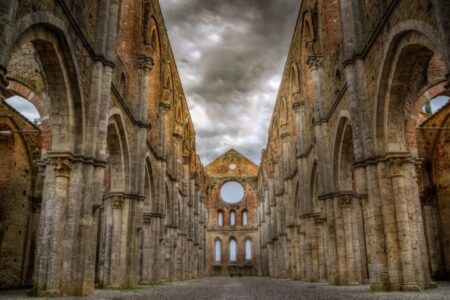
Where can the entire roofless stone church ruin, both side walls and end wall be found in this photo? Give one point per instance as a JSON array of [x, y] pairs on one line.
[[108, 190]]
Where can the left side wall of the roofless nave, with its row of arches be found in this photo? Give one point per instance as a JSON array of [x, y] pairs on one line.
[[118, 159]]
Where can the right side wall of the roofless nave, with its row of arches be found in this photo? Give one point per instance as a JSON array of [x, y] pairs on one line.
[[339, 199]]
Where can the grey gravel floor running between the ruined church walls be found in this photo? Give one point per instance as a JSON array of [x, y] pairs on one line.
[[247, 288]]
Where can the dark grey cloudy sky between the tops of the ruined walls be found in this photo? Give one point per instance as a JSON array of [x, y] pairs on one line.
[[230, 56]]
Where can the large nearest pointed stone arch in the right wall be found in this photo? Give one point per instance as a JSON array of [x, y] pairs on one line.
[[403, 84]]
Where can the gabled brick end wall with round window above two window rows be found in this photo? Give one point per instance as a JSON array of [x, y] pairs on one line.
[[219, 173]]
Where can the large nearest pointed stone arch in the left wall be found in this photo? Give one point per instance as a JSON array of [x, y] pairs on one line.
[[49, 37]]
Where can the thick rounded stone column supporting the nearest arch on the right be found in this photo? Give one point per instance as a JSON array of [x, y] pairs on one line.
[[405, 236]]
